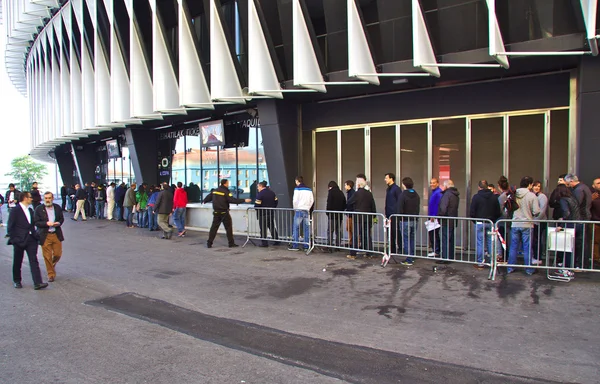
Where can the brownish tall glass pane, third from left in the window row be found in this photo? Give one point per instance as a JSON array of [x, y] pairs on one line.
[[383, 160]]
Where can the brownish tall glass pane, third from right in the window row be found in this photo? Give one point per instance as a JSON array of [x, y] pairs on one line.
[[487, 151]]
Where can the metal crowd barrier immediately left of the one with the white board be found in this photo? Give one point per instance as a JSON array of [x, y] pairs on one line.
[[442, 239]]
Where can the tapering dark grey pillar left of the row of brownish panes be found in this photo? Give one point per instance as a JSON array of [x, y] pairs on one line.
[[279, 127]]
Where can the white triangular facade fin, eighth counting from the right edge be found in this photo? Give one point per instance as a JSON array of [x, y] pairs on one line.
[[193, 89]]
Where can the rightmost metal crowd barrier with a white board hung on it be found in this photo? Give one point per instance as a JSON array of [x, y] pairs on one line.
[[560, 247]]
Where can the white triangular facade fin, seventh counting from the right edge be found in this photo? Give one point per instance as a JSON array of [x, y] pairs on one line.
[[224, 81]]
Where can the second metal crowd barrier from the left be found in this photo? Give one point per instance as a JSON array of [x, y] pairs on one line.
[[356, 232]]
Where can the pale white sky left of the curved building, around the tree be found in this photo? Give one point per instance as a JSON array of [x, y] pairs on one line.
[[14, 130]]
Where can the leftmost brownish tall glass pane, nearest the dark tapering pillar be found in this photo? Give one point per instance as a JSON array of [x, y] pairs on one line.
[[326, 149]]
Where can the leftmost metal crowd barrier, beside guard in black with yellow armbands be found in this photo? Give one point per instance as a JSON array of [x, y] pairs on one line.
[[278, 225]]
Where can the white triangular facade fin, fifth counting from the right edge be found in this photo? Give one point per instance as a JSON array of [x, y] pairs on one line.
[[306, 67]]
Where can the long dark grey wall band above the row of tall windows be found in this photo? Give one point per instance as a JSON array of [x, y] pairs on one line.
[[495, 96]]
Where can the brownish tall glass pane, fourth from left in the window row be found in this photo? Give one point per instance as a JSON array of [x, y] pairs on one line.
[[413, 160]]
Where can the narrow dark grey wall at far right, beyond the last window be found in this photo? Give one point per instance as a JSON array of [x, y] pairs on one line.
[[588, 104]]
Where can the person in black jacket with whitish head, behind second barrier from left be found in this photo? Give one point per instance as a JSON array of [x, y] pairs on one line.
[[362, 201]]
